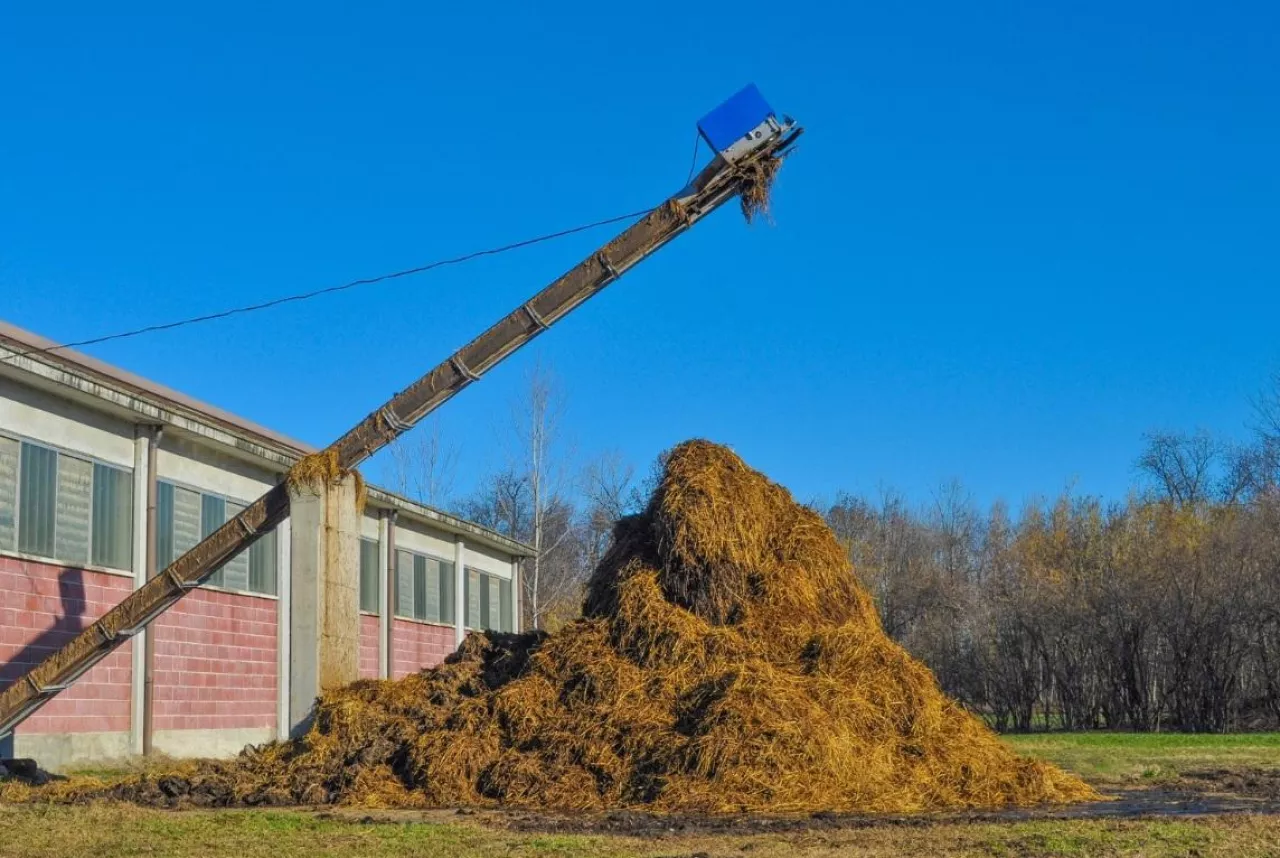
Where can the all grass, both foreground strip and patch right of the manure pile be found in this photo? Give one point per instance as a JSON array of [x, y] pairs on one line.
[[1104, 759]]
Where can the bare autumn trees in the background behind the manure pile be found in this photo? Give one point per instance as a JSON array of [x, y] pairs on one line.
[[1156, 613]]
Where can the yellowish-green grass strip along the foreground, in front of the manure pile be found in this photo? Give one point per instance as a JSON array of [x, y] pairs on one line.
[[120, 832]]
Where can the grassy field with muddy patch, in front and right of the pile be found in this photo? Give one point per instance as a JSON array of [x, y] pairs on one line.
[[1180, 796]]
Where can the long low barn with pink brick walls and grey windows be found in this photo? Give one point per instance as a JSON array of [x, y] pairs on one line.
[[81, 446]]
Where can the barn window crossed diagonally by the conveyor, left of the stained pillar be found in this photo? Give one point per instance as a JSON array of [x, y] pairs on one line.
[[184, 518]]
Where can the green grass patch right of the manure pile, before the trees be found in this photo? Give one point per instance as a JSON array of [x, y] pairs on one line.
[[1112, 759]]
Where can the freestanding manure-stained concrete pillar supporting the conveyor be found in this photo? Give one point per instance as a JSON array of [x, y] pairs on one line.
[[324, 615]]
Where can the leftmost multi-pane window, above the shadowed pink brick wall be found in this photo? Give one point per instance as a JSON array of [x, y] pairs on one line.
[[65, 508]]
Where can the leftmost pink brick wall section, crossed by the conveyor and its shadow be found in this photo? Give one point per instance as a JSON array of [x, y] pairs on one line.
[[43, 606]]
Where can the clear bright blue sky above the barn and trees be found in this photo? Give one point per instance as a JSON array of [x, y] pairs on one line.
[[1016, 236]]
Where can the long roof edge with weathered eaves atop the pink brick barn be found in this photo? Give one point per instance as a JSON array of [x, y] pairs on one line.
[[33, 346]]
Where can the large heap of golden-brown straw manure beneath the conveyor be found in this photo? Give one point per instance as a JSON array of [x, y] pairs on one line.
[[728, 661]]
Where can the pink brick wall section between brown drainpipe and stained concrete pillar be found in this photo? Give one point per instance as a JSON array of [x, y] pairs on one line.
[[216, 663]]
